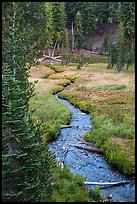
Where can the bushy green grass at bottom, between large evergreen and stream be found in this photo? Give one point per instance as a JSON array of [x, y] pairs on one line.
[[68, 187]]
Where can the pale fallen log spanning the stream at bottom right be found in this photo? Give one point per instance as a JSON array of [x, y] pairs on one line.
[[106, 183]]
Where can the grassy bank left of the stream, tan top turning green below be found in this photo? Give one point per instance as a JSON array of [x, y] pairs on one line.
[[48, 109]]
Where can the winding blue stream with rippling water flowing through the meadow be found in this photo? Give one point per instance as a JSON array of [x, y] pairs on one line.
[[91, 166]]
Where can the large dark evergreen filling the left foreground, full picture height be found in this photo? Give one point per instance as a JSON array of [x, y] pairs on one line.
[[25, 158]]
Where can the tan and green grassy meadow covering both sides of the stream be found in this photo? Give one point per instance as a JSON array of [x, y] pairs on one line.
[[104, 93]]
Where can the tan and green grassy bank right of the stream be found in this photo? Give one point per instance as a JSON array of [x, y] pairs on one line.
[[109, 97]]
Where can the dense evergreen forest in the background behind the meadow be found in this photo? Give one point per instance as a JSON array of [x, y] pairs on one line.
[[52, 22]]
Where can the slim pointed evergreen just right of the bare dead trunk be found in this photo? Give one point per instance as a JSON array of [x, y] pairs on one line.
[[79, 30]]
